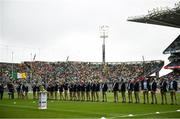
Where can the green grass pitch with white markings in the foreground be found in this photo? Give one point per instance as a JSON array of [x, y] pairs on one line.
[[70, 109]]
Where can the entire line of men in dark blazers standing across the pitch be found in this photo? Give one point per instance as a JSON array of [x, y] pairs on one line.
[[90, 90]]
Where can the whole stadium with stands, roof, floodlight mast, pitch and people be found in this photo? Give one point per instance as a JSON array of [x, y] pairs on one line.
[[79, 89]]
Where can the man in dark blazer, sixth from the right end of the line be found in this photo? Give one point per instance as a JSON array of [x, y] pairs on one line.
[[130, 89]]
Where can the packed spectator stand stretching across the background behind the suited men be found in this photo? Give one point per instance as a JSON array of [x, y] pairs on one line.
[[79, 70]]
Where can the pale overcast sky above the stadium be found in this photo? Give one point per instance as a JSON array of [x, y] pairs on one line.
[[55, 29]]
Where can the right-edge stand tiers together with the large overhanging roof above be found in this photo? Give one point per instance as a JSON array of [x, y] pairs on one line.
[[166, 17]]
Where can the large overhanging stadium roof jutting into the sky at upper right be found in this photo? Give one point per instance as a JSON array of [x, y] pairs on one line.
[[162, 16]]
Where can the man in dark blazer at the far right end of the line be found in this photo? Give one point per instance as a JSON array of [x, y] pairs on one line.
[[173, 89]]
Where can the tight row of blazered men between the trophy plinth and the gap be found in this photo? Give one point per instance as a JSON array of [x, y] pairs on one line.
[[77, 90]]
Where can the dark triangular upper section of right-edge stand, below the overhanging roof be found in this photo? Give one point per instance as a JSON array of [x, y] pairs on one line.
[[174, 47]]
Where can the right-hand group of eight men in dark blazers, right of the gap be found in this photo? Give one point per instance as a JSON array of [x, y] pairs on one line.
[[147, 85]]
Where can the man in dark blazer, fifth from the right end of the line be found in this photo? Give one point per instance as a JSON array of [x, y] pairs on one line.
[[136, 91]]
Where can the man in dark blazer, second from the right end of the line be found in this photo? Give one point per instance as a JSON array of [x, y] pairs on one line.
[[163, 87]]
